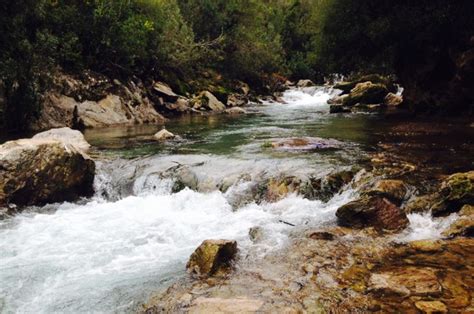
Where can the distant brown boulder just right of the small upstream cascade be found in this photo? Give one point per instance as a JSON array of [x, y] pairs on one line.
[[366, 93]]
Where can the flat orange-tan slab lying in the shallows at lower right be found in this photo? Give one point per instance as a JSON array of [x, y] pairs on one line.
[[405, 282]]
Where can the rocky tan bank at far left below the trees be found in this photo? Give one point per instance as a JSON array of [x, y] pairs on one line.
[[91, 100]]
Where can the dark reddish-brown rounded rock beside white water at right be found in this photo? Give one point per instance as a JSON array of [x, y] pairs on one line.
[[375, 211]]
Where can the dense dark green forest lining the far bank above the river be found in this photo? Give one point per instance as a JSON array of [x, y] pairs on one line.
[[422, 42]]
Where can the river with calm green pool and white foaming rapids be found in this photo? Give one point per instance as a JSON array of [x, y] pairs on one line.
[[111, 252]]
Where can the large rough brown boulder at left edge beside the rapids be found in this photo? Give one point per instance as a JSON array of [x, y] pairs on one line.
[[42, 170]]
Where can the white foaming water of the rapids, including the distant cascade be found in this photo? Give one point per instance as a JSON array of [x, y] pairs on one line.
[[104, 255]]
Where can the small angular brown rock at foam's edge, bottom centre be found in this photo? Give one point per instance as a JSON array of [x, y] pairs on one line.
[[212, 257]]
